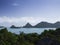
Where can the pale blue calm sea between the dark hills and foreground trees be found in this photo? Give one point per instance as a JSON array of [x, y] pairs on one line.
[[28, 30]]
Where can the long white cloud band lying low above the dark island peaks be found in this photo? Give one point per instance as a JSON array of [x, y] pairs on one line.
[[23, 20]]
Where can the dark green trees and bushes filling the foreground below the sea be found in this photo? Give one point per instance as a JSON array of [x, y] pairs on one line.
[[48, 37]]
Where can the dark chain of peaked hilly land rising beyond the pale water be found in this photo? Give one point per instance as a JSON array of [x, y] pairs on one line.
[[40, 25]]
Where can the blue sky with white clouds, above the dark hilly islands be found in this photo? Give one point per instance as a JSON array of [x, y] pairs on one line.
[[19, 12]]
